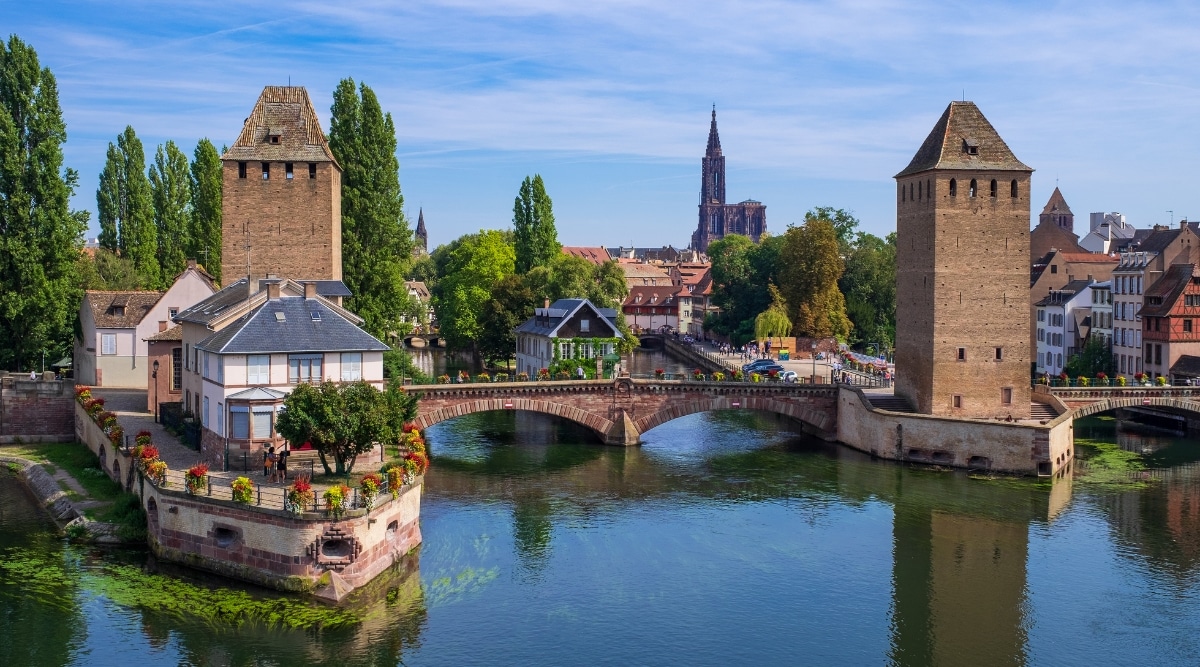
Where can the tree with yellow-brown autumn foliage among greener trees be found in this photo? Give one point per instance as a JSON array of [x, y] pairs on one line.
[[811, 267]]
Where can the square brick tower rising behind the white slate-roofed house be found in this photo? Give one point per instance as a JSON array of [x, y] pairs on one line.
[[283, 194]]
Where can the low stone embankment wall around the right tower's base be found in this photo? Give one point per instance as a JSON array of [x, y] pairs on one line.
[[993, 446]]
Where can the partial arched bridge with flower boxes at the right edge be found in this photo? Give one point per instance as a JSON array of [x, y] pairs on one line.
[[1082, 401]]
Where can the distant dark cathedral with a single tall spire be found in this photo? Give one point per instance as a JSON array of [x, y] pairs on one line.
[[718, 219]]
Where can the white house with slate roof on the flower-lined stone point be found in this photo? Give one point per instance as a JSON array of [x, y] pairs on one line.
[[247, 351]]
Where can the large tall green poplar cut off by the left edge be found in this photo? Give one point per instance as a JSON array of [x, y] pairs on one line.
[[40, 237]]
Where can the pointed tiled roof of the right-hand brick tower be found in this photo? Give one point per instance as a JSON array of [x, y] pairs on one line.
[[964, 140]]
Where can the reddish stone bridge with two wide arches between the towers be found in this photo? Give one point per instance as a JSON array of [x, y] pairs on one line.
[[621, 411]]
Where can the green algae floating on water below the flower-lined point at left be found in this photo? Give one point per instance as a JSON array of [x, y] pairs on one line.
[[58, 581]]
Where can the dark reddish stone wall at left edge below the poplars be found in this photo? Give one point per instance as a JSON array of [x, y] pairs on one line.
[[37, 411]]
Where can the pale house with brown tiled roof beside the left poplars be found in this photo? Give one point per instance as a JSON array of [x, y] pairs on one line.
[[111, 348]]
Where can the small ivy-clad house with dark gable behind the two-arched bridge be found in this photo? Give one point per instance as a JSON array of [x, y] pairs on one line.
[[548, 336]]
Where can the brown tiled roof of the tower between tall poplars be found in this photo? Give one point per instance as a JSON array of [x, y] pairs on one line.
[[284, 128]]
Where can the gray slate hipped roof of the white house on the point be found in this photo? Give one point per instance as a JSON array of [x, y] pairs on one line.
[[266, 333]]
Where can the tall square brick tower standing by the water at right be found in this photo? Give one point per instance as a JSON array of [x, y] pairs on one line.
[[963, 273]]
